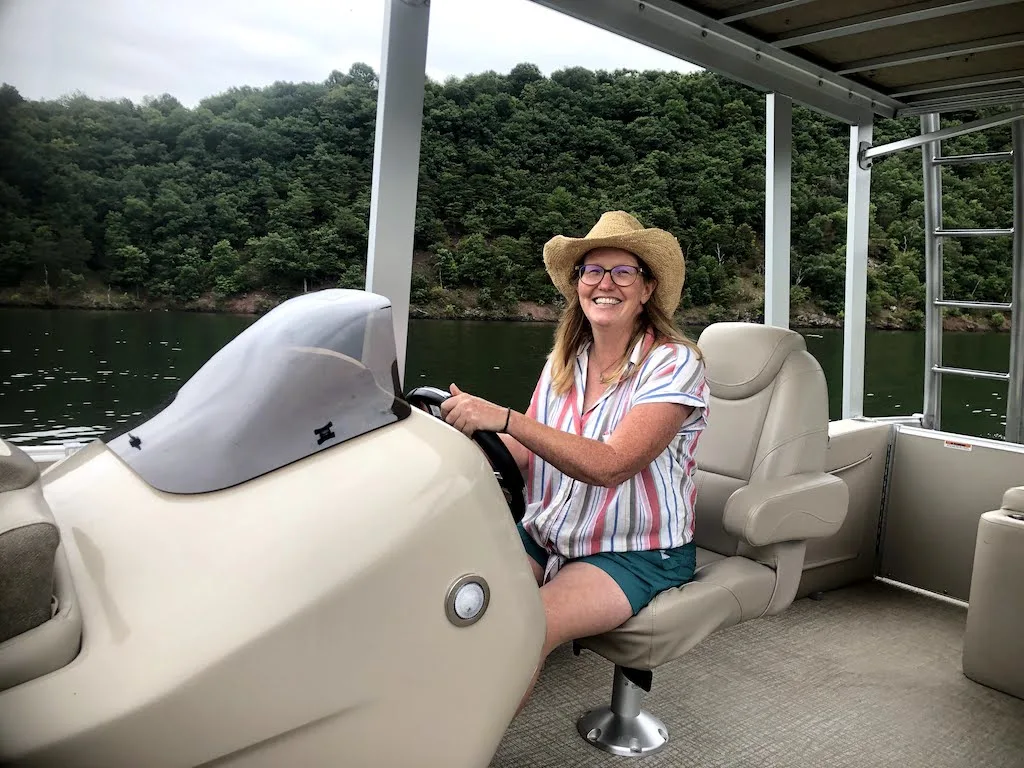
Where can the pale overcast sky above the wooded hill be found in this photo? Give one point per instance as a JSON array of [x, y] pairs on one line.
[[196, 49]]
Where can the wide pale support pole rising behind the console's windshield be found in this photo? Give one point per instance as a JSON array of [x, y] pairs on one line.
[[397, 160]]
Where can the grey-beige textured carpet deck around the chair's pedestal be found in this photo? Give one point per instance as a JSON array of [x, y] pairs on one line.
[[868, 677]]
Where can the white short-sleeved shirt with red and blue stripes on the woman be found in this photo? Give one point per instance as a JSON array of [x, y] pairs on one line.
[[652, 510]]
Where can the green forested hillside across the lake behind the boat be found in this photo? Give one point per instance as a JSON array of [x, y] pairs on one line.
[[265, 193]]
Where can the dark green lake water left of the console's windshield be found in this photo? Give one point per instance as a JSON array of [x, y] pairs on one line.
[[70, 376]]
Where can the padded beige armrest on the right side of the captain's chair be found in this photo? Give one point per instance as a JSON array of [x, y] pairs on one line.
[[810, 505]]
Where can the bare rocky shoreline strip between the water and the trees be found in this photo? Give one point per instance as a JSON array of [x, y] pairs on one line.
[[260, 304]]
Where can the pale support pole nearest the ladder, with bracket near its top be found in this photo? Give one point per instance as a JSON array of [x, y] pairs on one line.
[[856, 313]]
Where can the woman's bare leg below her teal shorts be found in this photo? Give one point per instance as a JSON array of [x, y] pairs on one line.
[[580, 602]]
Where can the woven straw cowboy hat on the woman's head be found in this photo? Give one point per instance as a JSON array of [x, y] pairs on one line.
[[659, 250]]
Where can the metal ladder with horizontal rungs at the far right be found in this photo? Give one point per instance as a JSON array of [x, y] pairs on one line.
[[935, 233]]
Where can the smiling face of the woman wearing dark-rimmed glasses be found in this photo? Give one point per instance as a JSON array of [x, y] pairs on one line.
[[608, 304]]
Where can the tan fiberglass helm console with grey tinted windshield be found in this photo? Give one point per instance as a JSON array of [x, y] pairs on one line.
[[285, 566]]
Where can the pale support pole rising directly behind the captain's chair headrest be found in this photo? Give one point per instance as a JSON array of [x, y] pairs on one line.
[[779, 172]]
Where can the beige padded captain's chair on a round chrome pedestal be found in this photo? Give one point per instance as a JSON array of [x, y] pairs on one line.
[[762, 493]]
